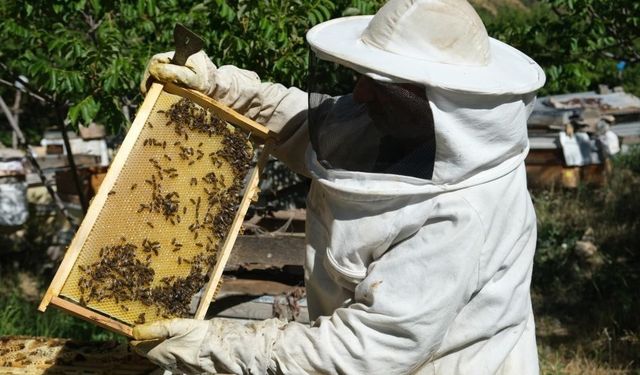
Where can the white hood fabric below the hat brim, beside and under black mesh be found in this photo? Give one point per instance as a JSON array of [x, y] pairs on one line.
[[479, 138]]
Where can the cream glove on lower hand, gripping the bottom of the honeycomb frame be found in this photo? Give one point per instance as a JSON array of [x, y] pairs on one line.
[[208, 346]]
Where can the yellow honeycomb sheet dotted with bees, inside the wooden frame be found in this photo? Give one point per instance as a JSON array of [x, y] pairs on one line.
[[164, 218]]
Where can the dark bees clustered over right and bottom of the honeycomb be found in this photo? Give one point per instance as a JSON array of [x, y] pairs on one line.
[[124, 271]]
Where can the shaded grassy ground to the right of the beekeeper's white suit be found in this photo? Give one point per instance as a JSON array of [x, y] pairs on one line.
[[591, 296]]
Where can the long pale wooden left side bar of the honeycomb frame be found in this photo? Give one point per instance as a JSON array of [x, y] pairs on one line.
[[101, 197]]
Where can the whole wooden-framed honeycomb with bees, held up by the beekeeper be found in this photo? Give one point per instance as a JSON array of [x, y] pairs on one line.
[[157, 235]]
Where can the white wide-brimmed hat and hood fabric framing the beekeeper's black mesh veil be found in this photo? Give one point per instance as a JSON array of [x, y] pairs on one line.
[[480, 91]]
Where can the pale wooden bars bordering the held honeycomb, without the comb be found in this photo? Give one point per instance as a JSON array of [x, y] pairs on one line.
[[257, 131]]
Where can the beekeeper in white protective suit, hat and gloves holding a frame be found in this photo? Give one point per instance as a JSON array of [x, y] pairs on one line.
[[420, 229]]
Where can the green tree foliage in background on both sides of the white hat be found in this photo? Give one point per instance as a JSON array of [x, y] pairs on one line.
[[85, 57]]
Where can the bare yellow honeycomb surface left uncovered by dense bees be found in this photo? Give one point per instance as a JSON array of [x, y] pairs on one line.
[[121, 219]]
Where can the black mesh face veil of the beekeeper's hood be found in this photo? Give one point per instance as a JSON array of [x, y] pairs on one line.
[[373, 127]]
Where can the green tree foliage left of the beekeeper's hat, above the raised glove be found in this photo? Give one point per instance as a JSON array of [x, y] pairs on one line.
[[86, 57]]
